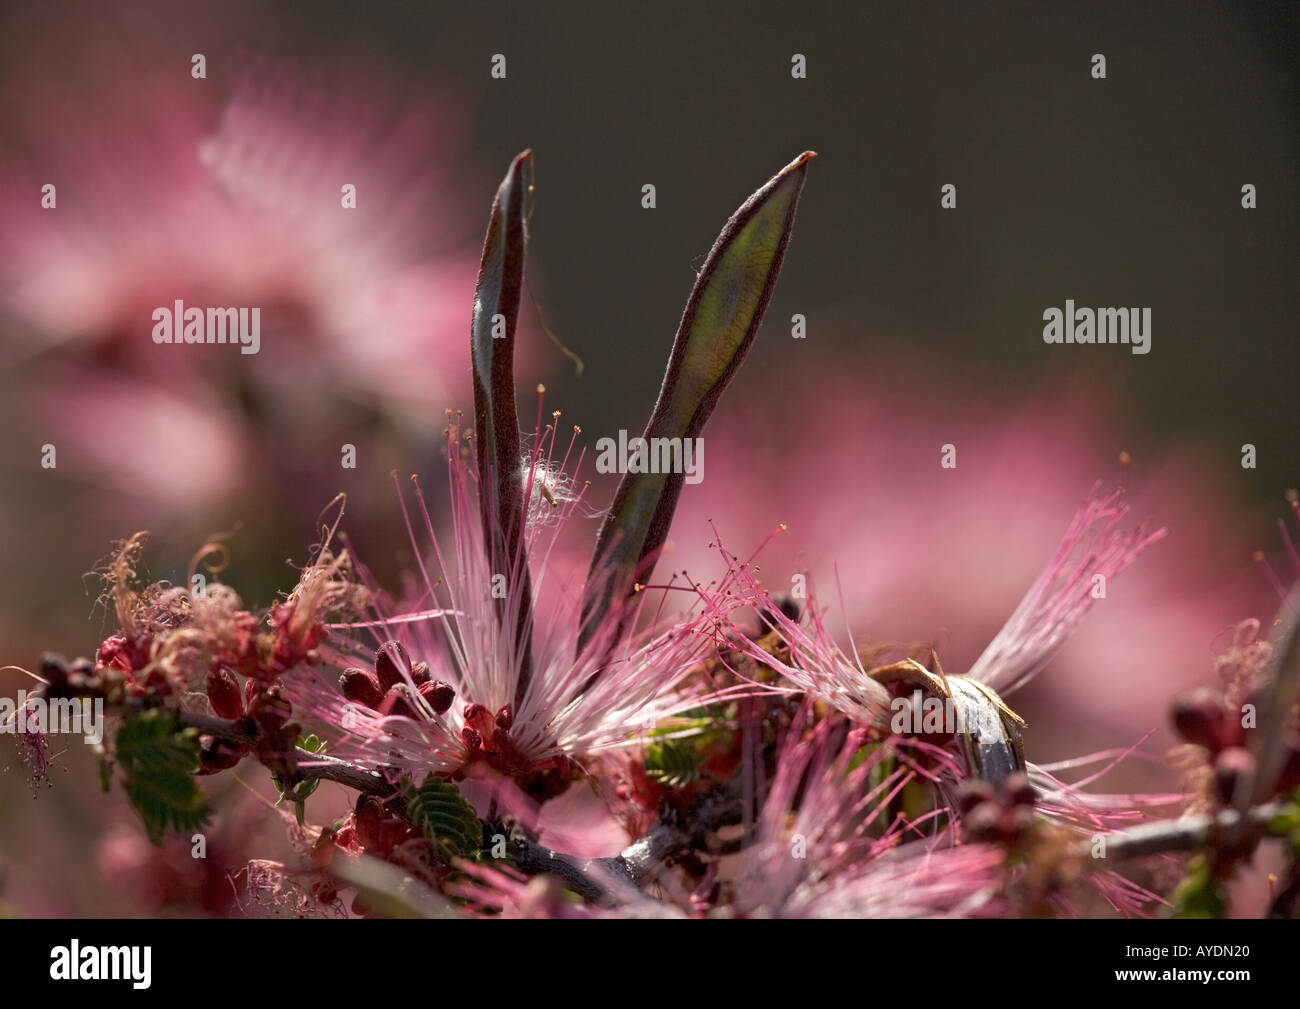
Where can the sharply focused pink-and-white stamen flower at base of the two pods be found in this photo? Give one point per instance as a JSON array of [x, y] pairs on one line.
[[457, 701]]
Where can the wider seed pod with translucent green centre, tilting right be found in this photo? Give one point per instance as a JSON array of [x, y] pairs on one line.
[[718, 327]]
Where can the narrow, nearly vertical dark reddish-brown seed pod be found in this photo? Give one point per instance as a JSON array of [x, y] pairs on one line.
[[492, 340]]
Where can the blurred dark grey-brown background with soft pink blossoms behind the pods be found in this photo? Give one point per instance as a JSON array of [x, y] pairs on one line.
[[924, 324]]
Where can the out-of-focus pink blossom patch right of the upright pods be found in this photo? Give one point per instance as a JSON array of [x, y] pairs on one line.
[[909, 551]]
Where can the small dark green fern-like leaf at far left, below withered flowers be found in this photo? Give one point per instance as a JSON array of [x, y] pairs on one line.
[[158, 760]]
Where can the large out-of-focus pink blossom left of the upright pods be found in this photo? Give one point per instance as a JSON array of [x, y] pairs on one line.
[[163, 198]]
